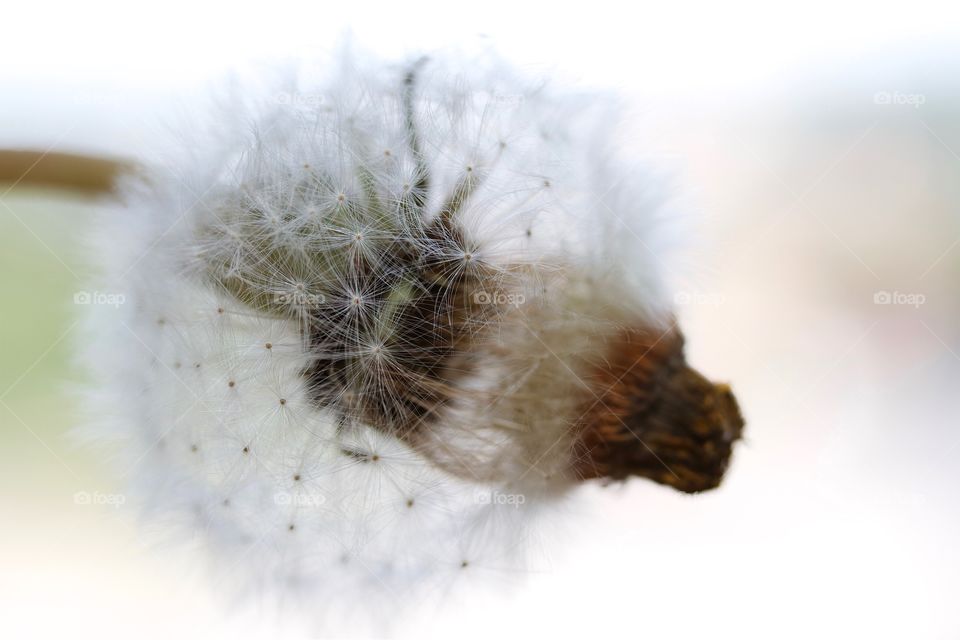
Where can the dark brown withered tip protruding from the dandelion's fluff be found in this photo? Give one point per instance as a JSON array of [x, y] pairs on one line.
[[655, 417]]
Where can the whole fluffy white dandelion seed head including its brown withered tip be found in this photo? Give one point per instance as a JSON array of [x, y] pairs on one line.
[[379, 325]]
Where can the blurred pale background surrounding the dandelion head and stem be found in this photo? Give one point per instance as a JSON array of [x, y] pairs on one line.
[[820, 148]]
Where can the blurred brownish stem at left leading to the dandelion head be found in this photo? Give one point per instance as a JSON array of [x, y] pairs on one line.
[[88, 175]]
